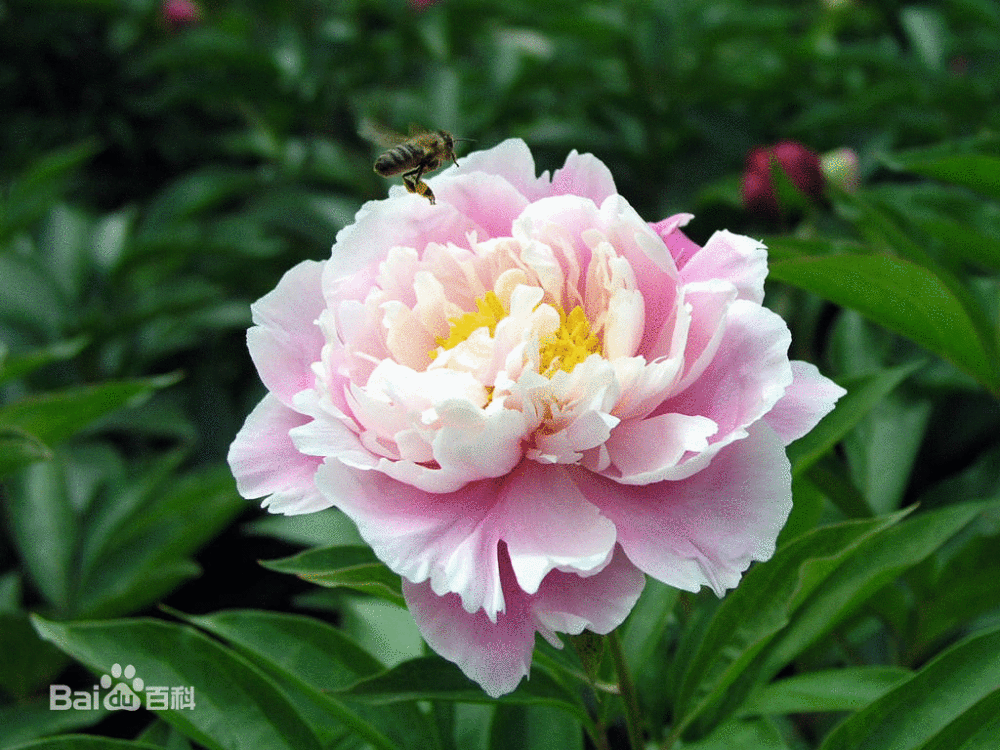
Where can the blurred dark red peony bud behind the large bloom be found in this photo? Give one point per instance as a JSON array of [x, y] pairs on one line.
[[798, 162]]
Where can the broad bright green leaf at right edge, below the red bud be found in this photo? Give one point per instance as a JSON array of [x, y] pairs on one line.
[[905, 298]]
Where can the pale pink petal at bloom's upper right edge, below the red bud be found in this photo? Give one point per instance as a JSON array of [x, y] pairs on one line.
[[740, 260]]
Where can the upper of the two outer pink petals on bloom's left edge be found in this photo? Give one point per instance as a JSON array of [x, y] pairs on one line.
[[286, 340]]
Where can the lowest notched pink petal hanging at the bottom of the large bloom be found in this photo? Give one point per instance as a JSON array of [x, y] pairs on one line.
[[498, 655]]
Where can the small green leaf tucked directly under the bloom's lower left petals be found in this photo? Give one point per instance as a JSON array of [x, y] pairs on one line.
[[354, 567]]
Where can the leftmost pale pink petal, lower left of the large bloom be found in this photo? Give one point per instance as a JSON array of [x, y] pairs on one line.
[[266, 463]]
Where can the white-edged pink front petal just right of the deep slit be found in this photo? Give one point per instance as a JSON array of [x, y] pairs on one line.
[[549, 525]]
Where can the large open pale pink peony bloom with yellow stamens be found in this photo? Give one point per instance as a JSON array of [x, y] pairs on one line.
[[526, 397]]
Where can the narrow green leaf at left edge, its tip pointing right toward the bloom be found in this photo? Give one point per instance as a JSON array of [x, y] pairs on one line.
[[52, 417]]
